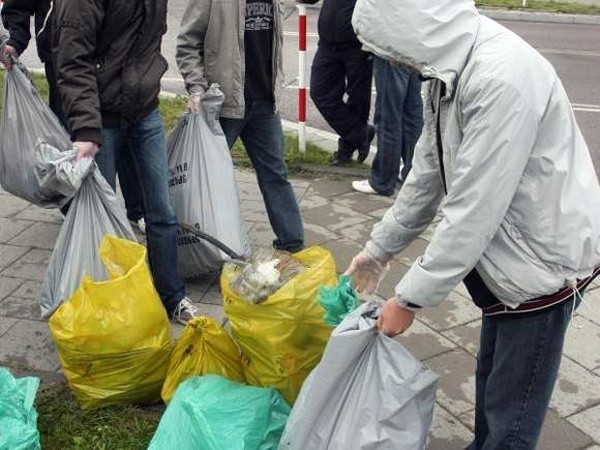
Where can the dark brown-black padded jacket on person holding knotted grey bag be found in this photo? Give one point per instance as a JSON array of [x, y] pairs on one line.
[[108, 61]]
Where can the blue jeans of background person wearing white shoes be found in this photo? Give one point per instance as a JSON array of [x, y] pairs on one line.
[[398, 121]]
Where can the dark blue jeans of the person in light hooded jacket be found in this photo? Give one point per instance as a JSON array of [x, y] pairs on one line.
[[517, 366]]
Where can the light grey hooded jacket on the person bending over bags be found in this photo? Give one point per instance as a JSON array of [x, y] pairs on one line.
[[523, 200]]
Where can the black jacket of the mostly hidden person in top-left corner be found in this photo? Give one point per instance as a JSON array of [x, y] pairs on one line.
[[16, 18]]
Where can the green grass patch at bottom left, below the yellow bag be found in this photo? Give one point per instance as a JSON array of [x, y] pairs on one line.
[[63, 425]]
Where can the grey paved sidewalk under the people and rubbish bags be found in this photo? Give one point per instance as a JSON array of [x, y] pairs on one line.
[[340, 220]]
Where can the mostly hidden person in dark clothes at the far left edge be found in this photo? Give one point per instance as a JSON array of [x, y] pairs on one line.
[[16, 17]]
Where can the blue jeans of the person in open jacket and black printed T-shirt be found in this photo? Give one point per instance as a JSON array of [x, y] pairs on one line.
[[262, 135]]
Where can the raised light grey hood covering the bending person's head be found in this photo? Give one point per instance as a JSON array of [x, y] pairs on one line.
[[433, 37]]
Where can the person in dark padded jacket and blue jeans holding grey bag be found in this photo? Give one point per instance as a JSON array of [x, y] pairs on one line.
[[109, 66]]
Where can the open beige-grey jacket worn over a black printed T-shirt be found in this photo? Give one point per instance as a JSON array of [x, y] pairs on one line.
[[210, 49]]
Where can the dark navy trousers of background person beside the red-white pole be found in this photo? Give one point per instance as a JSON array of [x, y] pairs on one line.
[[337, 73]]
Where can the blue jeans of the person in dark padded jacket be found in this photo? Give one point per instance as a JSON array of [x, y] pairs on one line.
[[147, 143]]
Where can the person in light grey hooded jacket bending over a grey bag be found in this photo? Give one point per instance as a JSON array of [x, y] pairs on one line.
[[504, 163]]
